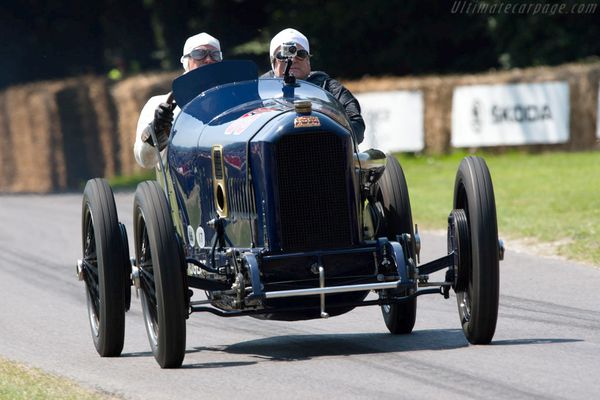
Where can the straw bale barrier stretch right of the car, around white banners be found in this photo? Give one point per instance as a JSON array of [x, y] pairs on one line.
[[437, 91]]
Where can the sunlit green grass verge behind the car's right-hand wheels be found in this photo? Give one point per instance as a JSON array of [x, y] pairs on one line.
[[550, 197]]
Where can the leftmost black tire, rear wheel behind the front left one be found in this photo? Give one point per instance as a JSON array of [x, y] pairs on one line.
[[104, 268]]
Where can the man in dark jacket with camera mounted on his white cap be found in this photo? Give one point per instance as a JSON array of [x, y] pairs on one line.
[[301, 70]]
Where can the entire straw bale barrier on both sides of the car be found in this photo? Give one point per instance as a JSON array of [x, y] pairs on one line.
[[56, 135]]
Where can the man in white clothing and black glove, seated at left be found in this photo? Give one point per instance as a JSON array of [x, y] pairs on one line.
[[158, 113]]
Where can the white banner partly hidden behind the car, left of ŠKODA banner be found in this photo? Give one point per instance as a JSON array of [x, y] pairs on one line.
[[394, 120]]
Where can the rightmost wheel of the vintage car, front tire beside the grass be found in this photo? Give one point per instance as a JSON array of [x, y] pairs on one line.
[[478, 302]]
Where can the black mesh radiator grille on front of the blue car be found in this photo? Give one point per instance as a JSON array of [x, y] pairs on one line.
[[313, 203]]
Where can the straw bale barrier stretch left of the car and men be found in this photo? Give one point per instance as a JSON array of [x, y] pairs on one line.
[[56, 135]]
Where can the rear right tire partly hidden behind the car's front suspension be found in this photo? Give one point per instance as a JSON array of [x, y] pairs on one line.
[[393, 196]]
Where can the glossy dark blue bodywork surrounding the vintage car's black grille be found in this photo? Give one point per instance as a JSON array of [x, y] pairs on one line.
[[246, 119]]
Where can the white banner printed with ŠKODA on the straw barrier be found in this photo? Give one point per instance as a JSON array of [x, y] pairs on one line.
[[528, 113]]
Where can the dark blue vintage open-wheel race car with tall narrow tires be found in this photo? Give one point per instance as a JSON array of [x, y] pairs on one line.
[[266, 205]]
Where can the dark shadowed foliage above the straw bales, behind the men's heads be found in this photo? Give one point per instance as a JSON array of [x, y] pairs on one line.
[[349, 39]]
